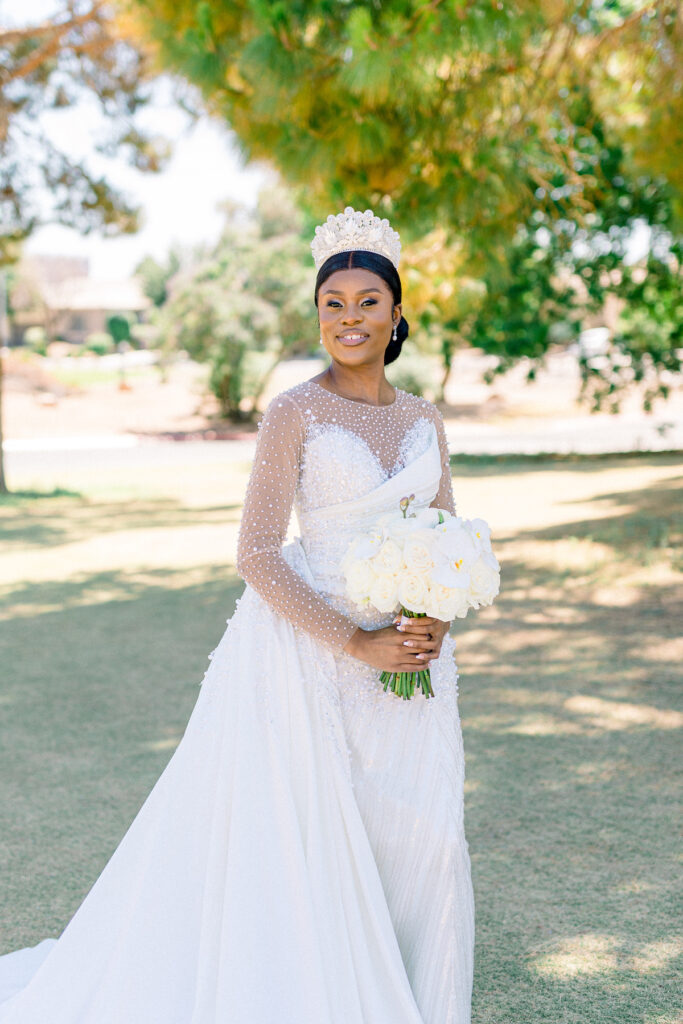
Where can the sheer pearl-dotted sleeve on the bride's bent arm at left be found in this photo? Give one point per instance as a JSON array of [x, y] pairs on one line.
[[266, 519]]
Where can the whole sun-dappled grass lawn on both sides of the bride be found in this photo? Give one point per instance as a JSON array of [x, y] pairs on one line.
[[112, 600]]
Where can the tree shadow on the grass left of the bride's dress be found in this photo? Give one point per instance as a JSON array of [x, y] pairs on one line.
[[93, 704]]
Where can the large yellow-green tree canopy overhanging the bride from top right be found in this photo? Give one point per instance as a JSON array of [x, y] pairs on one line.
[[499, 130]]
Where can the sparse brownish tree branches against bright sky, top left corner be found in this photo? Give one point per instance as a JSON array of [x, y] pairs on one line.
[[81, 54]]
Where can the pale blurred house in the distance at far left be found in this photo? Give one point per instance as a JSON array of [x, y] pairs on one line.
[[58, 294]]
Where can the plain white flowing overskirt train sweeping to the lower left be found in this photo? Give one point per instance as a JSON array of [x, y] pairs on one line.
[[203, 913]]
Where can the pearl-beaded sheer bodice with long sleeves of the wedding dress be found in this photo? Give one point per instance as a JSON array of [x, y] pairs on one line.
[[339, 464]]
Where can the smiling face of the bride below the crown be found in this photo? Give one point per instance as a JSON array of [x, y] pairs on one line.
[[358, 315]]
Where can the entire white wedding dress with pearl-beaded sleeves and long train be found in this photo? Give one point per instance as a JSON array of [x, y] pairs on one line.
[[303, 859]]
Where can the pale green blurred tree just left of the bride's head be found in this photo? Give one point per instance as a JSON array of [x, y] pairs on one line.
[[246, 305]]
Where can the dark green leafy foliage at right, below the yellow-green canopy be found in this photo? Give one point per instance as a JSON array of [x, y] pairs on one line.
[[561, 274]]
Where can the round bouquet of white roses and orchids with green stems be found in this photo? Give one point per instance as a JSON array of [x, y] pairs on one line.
[[429, 563]]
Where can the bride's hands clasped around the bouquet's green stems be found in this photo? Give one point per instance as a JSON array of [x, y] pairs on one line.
[[408, 650]]
